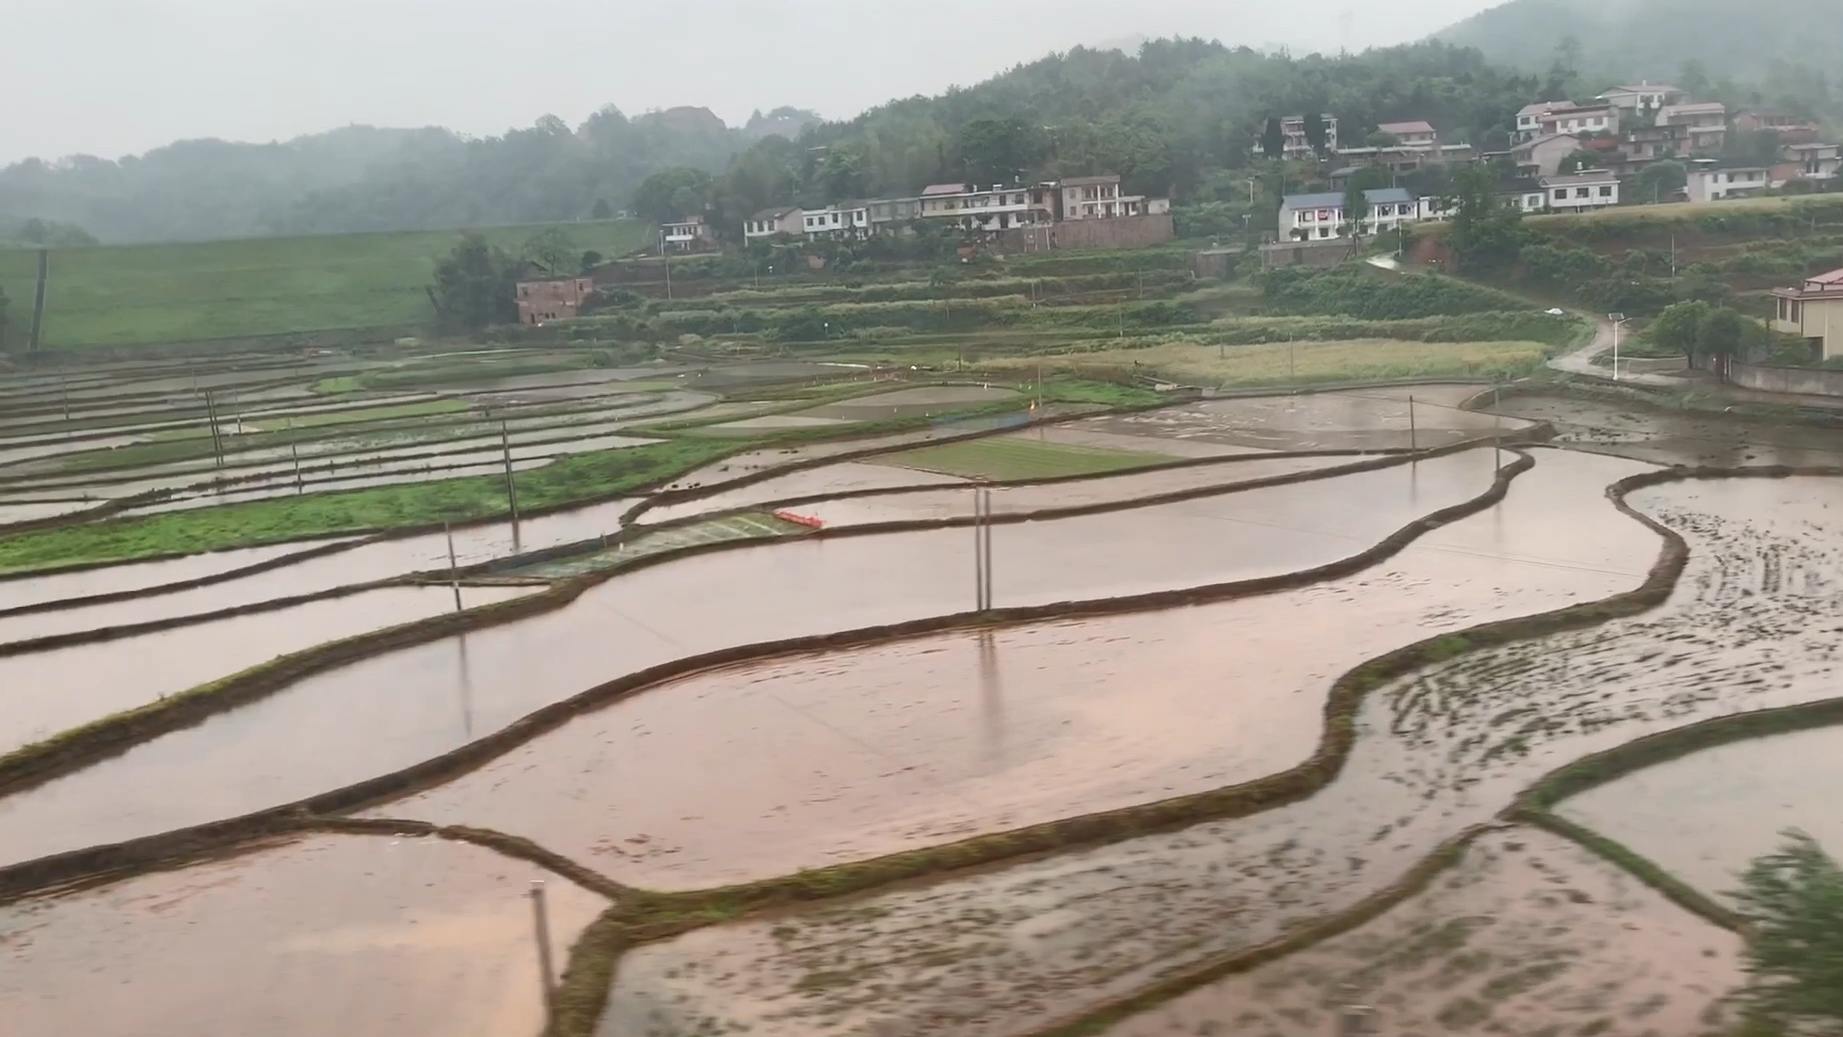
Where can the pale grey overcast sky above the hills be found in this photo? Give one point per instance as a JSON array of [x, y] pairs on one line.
[[134, 75]]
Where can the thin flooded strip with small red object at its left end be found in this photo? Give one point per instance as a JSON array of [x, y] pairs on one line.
[[1016, 500]]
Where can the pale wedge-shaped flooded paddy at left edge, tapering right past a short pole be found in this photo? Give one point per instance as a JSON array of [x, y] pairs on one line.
[[43, 693]]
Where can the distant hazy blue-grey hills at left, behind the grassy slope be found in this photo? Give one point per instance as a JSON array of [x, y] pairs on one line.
[[377, 180]]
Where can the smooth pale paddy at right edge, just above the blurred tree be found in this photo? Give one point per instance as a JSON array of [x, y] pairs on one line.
[[1706, 817]]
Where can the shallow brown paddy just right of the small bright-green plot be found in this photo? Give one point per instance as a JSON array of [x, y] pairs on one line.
[[1317, 421]]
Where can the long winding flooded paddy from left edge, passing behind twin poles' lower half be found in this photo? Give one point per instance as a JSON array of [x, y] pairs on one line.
[[386, 714]]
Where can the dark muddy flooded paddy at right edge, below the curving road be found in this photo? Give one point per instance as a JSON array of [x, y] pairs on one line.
[[1680, 437]]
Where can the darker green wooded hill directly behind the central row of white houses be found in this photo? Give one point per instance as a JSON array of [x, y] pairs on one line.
[[1173, 119]]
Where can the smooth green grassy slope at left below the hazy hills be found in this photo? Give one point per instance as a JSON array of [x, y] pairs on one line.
[[259, 286]]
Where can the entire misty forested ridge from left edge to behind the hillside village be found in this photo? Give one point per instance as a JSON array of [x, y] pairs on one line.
[[1173, 119]]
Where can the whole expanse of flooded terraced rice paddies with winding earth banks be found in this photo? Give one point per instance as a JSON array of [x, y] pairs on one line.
[[1144, 762]]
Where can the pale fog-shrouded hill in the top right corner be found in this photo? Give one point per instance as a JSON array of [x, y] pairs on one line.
[[1772, 49]]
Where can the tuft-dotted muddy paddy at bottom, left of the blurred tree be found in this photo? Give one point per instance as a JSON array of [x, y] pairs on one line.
[[1529, 937]]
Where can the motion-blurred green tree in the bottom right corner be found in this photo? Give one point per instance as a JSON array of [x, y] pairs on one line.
[[1794, 961]]
